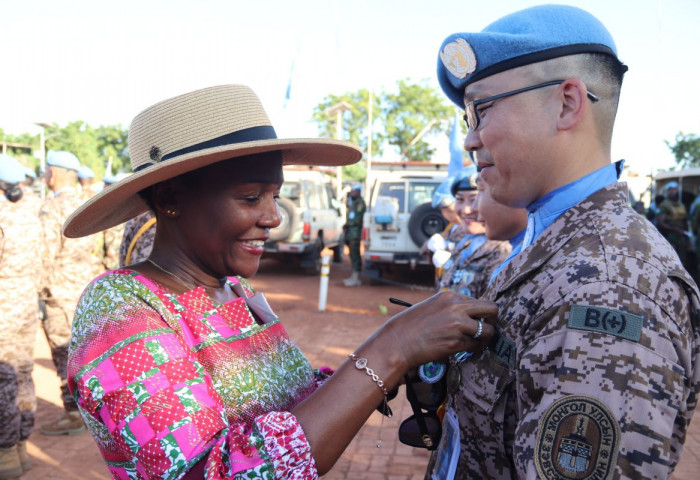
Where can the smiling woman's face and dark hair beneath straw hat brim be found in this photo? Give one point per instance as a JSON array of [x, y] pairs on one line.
[[226, 216]]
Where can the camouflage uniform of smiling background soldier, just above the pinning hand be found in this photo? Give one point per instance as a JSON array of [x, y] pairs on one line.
[[471, 275]]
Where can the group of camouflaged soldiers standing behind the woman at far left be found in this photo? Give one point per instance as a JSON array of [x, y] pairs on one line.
[[42, 276]]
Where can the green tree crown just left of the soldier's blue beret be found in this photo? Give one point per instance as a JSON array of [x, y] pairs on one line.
[[413, 114]]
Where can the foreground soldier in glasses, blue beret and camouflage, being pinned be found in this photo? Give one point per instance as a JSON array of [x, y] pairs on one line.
[[595, 371]]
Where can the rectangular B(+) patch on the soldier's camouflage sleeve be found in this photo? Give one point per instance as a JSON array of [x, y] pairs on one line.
[[603, 320]]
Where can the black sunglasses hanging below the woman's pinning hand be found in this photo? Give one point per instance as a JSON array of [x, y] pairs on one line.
[[423, 429]]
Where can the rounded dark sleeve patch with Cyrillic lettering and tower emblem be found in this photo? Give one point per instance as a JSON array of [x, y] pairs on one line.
[[577, 438]]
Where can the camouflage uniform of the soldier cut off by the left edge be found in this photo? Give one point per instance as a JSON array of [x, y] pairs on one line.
[[21, 243]]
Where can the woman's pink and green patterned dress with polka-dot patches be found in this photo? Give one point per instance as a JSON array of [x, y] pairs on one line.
[[163, 380]]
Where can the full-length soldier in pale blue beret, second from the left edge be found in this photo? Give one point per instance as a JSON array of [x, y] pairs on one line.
[[69, 265]]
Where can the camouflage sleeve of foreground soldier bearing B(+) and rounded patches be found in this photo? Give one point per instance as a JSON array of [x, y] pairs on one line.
[[605, 384]]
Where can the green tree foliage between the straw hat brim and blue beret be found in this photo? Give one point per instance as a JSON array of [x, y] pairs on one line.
[[404, 119]]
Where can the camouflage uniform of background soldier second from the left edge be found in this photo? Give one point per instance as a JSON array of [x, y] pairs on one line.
[[68, 266]]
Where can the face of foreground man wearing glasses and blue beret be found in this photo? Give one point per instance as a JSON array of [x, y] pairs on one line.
[[513, 138]]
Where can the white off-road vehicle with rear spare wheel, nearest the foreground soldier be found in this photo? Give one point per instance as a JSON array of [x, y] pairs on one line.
[[400, 217]]
